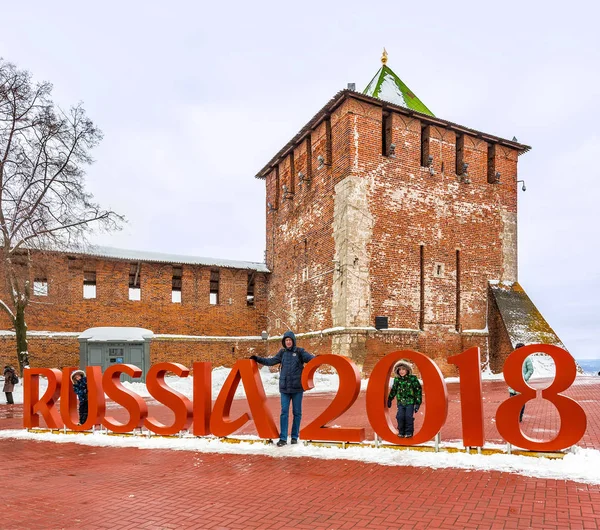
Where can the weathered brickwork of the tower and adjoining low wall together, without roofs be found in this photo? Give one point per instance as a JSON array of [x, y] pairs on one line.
[[364, 235]]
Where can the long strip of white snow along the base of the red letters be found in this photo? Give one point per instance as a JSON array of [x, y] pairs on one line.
[[580, 465]]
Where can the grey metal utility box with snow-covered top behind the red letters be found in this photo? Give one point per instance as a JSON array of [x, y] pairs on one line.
[[114, 345]]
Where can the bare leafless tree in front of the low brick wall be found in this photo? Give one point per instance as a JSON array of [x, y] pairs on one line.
[[43, 203]]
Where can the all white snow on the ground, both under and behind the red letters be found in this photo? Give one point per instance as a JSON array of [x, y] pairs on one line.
[[581, 465]]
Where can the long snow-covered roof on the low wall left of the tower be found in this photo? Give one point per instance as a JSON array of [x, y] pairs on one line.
[[159, 257]]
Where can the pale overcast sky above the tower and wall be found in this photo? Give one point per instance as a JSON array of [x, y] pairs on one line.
[[195, 97]]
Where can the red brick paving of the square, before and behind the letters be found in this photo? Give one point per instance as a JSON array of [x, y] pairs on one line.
[[74, 486]]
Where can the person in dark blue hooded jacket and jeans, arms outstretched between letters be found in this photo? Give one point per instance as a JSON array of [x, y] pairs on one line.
[[292, 361]]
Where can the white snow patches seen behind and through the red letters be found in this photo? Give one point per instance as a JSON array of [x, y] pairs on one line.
[[543, 368]]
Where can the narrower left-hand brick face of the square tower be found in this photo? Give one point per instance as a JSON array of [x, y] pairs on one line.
[[300, 246]]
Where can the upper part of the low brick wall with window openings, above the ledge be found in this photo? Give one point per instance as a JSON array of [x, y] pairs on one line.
[[65, 309]]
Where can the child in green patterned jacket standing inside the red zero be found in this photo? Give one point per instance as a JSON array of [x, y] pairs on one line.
[[407, 390]]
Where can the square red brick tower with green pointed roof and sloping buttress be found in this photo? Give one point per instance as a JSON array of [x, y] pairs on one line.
[[389, 228]]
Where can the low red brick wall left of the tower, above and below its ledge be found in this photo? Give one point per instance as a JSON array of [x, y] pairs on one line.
[[65, 310]]
